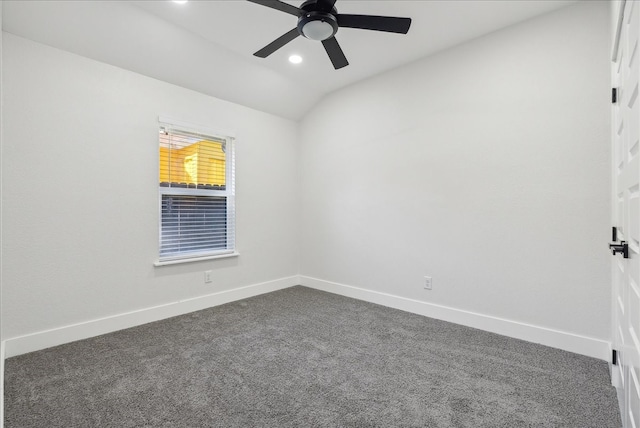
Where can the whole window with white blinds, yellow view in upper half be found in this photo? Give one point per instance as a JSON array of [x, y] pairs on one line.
[[196, 186]]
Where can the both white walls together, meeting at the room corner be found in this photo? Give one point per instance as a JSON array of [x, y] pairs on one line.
[[485, 166]]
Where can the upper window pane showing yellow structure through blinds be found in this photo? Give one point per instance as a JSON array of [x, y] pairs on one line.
[[187, 160]]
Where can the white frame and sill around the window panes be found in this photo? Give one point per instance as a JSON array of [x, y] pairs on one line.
[[178, 127]]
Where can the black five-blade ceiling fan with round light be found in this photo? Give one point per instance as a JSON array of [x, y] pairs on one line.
[[319, 20]]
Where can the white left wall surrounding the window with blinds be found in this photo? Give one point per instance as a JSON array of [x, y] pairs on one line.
[[79, 189]]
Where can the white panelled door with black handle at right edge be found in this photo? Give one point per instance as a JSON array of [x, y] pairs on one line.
[[626, 214]]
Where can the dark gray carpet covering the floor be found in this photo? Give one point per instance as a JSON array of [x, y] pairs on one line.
[[305, 358]]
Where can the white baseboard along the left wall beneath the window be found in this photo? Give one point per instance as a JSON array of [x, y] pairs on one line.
[[70, 333]]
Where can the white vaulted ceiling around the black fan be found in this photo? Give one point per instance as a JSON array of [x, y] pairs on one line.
[[208, 46]]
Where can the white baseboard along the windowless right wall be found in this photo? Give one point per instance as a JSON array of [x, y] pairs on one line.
[[578, 344]]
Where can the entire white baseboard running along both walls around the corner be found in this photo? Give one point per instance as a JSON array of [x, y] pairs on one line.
[[554, 338]]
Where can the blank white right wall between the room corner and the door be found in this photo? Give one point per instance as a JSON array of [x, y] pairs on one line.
[[485, 166]]
